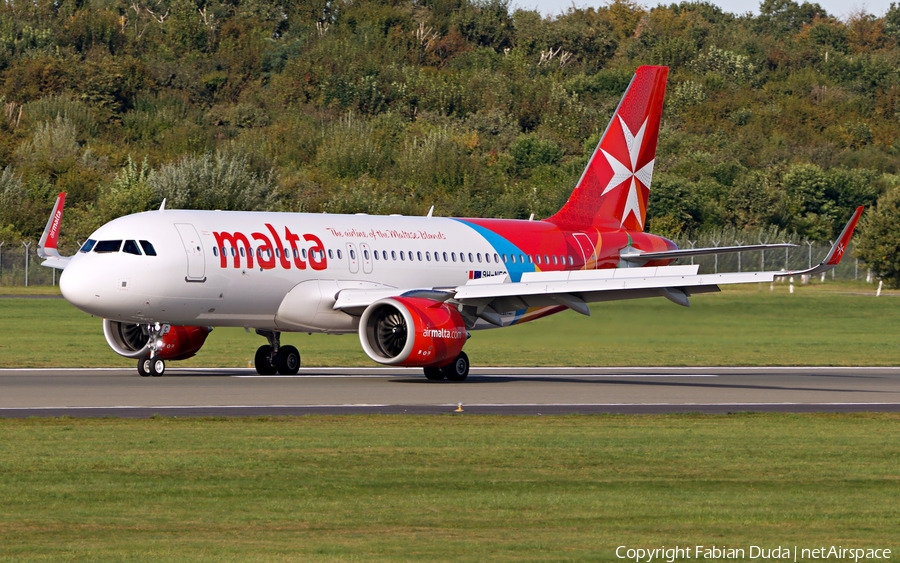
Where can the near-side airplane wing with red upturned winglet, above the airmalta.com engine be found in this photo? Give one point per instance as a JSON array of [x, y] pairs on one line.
[[488, 298]]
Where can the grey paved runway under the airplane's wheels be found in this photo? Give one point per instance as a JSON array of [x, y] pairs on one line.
[[241, 392]]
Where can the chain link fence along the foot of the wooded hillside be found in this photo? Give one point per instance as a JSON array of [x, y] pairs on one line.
[[13, 260]]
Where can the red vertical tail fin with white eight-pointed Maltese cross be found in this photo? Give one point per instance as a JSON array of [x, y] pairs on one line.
[[613, 190]]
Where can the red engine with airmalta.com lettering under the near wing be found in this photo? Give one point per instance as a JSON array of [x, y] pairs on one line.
[[412, 331]]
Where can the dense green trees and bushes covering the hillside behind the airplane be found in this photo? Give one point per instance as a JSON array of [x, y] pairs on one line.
[[786, 120]]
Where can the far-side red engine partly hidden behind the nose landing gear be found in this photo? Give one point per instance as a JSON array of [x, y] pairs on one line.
[[173, 342]]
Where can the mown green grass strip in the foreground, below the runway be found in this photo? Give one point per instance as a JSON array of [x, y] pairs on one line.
[[442, 488]]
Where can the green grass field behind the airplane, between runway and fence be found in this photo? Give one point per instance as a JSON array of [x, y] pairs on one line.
[[830, 324]]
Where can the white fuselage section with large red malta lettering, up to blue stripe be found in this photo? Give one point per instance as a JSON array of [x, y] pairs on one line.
[[256, 283]]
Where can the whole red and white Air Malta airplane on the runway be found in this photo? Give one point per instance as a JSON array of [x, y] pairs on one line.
[[413, 288]]
